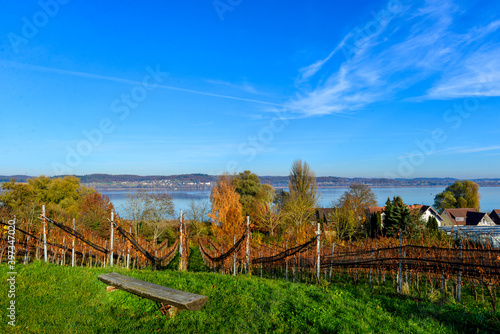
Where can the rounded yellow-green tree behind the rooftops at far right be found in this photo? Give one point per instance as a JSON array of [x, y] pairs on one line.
[[461, 194]]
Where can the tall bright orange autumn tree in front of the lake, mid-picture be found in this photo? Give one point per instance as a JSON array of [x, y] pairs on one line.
[[226, 209]]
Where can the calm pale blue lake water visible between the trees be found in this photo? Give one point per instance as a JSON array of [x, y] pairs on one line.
[[490, 197]]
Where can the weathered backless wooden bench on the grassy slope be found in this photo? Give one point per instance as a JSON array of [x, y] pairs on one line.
[[171, 300]]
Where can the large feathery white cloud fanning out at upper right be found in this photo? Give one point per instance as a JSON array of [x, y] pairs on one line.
[[417, 51]]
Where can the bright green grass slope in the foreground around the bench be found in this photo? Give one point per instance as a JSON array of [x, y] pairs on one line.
[[58, 299]]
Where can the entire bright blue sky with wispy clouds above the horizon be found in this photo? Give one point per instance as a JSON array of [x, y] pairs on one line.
[[356, 89]]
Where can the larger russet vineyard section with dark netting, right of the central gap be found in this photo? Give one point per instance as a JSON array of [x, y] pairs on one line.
[[450, 264]]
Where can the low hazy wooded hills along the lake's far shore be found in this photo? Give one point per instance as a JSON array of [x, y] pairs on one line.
[[206, 181]]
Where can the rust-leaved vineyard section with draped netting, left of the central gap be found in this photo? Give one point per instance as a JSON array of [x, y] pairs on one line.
[[64, 245]]
